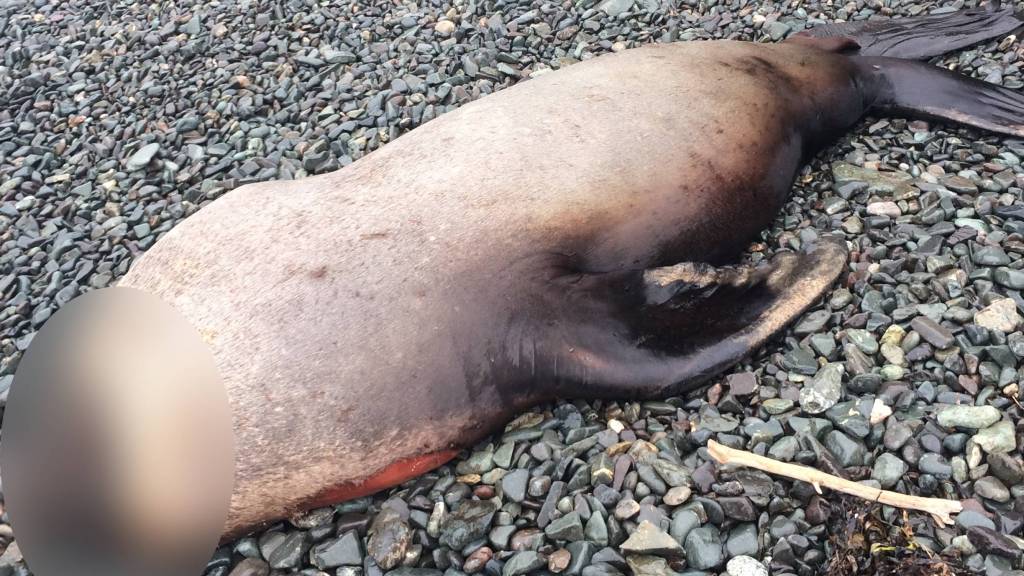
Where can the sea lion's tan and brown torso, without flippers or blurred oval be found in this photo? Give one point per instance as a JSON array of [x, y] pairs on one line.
[[393, 309]]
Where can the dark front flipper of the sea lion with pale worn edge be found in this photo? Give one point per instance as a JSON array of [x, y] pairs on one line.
[[692, 322]]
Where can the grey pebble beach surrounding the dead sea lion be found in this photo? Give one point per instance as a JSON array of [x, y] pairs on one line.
[[120, 119]]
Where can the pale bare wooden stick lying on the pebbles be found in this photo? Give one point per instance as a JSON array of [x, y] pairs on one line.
[[938, 508]]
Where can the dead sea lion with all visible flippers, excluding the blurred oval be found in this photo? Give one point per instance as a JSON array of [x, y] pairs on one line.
[[558, 239]]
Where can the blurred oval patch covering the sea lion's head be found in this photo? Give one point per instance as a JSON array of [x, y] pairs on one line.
[[117, 450]]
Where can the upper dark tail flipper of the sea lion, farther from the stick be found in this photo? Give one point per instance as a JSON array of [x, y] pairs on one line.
[[921, 37]]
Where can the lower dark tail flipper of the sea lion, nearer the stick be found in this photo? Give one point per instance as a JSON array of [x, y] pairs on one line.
[[922, 91]]
